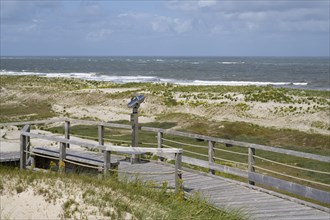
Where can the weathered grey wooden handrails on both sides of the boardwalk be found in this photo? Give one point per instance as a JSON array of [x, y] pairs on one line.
[[209, 164]]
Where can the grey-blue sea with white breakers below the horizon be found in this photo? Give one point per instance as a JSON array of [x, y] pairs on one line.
[[291, 72]]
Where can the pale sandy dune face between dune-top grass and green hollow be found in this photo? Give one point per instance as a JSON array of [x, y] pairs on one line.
[[110, 104]]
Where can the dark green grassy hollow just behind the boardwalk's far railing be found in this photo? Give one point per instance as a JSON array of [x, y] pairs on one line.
[[289, 139]]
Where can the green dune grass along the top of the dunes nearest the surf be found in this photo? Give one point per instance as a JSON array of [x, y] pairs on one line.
[[32, 97]]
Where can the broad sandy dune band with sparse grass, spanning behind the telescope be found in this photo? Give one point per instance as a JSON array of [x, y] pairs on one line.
[[302, 113]]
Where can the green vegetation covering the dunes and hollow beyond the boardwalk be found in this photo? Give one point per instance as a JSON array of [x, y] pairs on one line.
[[242, 131]]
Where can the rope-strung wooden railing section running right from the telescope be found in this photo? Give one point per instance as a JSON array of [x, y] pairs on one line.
[[250, 174]]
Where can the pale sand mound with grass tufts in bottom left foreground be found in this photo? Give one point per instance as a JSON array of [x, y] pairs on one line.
[[52, 199]]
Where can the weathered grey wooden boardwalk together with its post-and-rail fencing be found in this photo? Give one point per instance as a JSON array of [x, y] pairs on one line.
[[224, 193]]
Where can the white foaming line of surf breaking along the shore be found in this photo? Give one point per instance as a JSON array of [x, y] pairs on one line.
[[152, 79]]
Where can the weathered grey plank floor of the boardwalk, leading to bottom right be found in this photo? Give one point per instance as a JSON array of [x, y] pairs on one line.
[[229, 194]]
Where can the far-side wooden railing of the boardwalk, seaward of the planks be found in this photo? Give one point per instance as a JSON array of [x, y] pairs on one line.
[[207, 156]]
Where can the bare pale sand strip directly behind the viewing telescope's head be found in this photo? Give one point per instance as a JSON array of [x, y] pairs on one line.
[[269, 114]]
